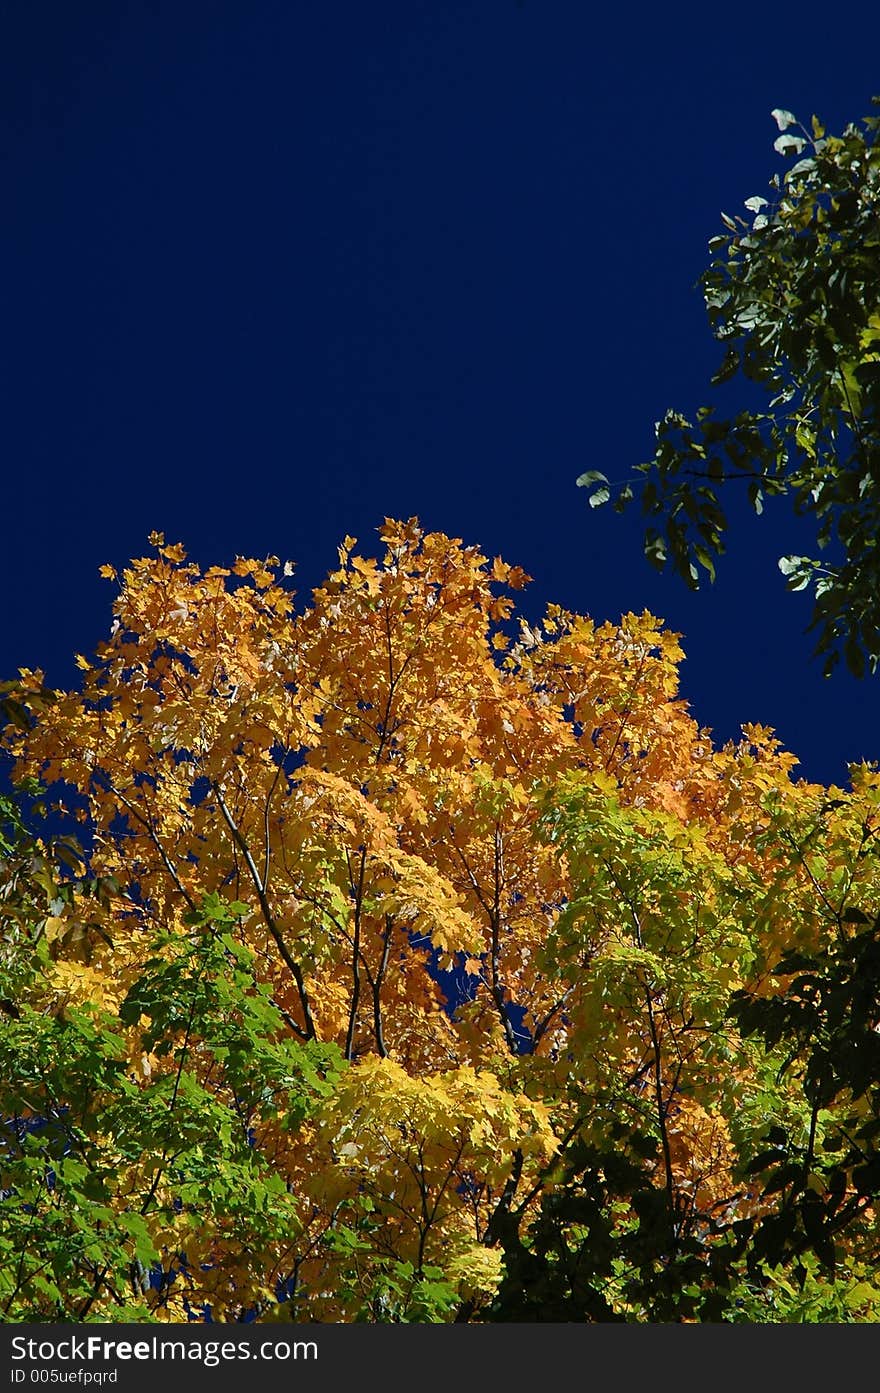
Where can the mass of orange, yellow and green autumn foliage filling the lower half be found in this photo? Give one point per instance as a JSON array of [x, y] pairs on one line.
[[424, 963]]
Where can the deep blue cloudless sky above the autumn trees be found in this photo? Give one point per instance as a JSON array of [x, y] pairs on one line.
[[274, 271]]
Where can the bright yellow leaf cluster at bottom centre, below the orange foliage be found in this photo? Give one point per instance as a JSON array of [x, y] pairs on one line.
[[432, 1154]]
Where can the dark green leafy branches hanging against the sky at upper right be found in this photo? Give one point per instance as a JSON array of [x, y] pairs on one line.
[[793, 296]]
